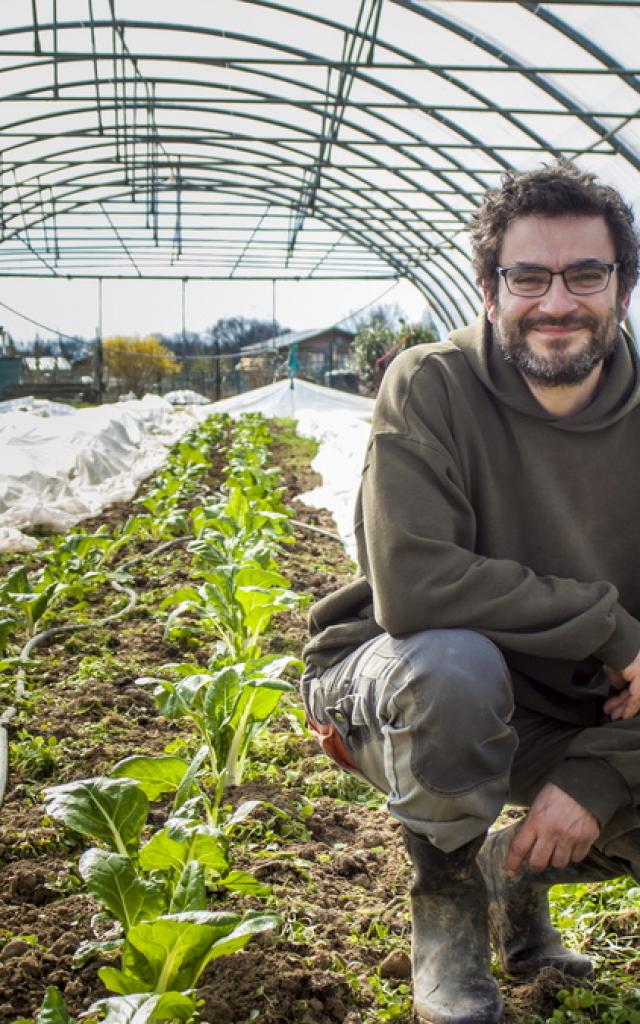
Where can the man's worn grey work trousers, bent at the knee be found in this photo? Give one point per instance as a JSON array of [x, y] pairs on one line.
[[429, 719]]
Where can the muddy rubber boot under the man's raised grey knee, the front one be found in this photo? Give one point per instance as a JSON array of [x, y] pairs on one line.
[[450, 937]]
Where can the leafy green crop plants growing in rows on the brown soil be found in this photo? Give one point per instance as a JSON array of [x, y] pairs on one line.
[[154, 885]]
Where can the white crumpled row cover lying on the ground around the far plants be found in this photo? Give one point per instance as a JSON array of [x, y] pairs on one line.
[[62, 466]]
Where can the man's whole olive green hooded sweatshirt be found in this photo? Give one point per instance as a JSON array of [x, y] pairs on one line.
[[481, 510]]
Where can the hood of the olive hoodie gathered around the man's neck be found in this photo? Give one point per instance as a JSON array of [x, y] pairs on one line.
[[620, 394]]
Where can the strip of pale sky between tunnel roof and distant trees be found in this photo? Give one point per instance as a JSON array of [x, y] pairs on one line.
[[140, 308]]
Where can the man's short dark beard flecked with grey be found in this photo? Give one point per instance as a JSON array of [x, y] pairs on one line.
[[558, 367]]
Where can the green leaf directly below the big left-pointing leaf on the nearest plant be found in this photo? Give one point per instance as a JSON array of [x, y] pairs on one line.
[[113, 882]]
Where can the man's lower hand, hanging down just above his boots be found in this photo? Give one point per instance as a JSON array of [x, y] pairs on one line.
[[557, 832]]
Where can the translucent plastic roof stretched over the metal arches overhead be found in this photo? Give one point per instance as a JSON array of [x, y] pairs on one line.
[[293, 140]]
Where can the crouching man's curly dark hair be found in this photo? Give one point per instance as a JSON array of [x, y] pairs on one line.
[[557, 191]]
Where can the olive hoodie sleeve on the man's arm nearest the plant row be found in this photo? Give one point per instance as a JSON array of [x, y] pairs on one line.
[[416, 546]]
